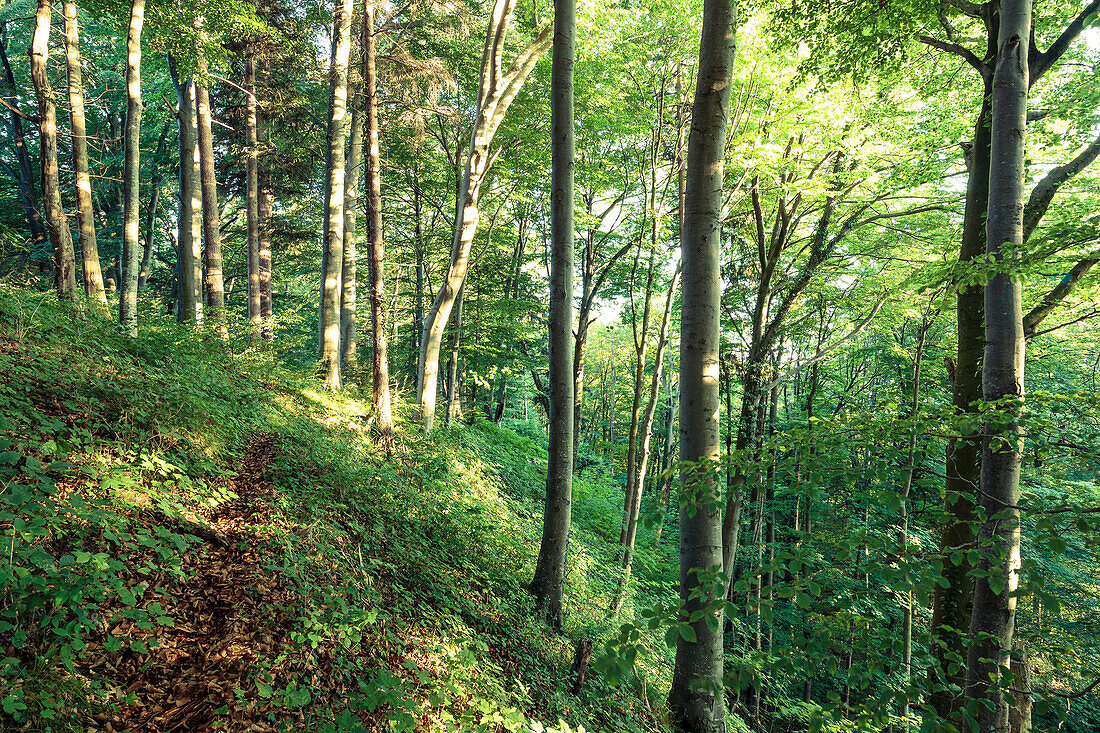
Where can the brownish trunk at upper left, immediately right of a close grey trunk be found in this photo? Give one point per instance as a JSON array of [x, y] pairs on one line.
[[212, 213]]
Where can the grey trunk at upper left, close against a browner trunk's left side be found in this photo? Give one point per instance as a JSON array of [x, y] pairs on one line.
[[190, 222]]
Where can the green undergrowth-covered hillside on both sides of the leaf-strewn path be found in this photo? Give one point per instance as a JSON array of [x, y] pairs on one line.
[[393, 583]]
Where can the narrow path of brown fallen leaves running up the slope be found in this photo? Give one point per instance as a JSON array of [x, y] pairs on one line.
[[233, 623]]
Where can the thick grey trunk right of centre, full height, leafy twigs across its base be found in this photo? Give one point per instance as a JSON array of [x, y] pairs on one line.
[[696, 701]]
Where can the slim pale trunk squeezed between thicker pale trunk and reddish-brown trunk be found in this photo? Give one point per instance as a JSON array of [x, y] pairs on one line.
[[349, 326]]
